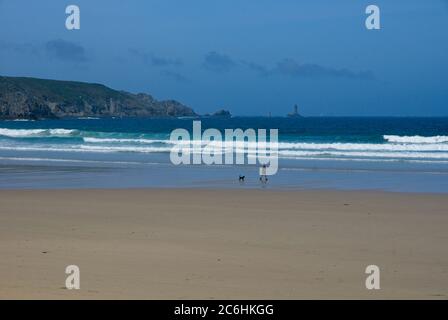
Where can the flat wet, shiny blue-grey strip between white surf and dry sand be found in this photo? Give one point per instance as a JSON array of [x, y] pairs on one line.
[[157, 173]]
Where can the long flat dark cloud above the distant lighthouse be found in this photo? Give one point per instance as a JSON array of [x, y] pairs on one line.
[[290, 67]]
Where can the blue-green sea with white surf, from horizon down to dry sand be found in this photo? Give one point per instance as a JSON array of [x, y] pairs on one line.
[[343, 153]]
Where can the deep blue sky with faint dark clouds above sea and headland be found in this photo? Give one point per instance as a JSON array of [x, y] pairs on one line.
[[252, 57]]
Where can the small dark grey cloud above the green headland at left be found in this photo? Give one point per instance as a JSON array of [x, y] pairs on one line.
[[65, 51]]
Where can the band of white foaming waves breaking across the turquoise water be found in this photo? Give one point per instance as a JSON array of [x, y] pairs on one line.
[[73, 140]]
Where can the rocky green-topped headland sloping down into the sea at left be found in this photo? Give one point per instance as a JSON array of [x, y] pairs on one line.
[[31, 98]]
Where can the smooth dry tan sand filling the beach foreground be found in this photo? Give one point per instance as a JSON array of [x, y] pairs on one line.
[[222, 244]]
